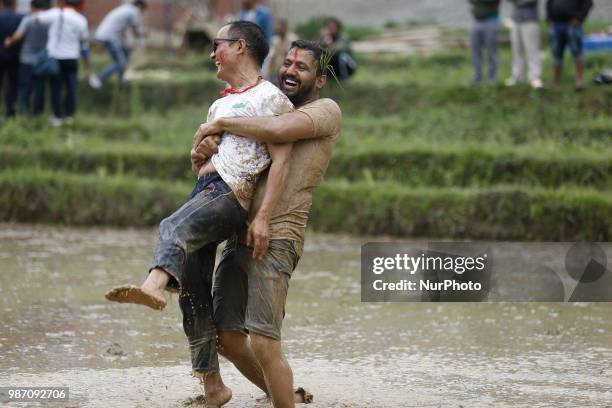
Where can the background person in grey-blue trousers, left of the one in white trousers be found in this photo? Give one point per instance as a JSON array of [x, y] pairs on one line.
[[483, 34]]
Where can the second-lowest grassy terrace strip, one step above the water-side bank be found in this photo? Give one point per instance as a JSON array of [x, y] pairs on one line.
[[462, 166]]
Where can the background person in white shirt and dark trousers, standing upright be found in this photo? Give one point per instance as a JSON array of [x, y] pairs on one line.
[[67, 40]]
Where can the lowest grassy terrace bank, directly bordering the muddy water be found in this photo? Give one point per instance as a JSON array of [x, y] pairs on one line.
[[502, 212]]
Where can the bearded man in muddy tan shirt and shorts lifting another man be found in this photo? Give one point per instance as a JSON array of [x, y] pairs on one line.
[[250, 291]]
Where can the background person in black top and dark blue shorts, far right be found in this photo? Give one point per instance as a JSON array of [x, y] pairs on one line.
[[565, 18]]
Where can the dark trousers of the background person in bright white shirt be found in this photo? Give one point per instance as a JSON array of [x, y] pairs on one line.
[[66, 83]]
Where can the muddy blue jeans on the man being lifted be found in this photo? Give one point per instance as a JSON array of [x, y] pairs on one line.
[[186, 249]]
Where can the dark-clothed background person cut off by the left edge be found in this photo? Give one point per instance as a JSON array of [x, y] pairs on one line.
[[9, 57]]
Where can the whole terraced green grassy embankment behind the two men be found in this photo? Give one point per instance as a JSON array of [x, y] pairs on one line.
[[420, 154]]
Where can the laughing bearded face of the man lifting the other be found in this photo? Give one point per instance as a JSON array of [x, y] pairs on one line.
[[297, 76]]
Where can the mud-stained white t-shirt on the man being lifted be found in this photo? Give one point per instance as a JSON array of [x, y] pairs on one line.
[[241, 160]]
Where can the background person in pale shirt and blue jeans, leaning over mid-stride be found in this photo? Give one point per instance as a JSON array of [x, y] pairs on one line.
[[111, 33]]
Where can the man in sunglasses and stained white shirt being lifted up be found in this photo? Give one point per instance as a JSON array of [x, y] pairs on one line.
[[185, 255]]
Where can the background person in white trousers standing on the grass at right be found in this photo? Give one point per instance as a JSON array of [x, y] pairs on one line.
[[525, 37]]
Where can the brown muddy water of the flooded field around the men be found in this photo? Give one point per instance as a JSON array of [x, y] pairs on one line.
[[56, 329]]
